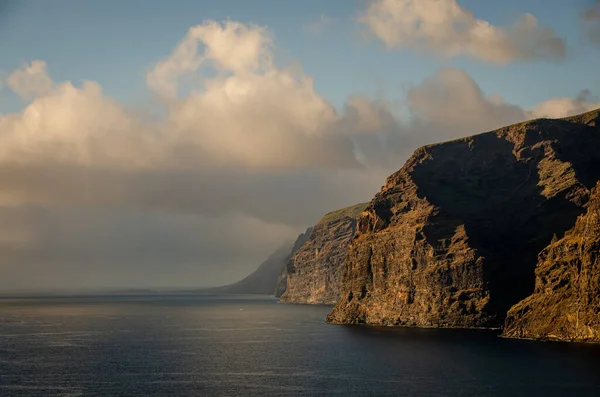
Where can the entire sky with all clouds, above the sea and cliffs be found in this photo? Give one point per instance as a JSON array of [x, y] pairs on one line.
[[177, 144]]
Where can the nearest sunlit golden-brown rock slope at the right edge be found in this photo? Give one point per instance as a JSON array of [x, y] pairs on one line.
[[566, 301]]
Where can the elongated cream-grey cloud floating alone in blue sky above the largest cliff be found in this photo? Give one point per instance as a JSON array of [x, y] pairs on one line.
[[444, 27]]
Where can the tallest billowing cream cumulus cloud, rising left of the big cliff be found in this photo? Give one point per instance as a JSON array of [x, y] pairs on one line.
[[249, 112]]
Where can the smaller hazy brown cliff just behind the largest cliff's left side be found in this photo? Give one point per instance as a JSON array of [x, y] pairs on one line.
[[314, 272]]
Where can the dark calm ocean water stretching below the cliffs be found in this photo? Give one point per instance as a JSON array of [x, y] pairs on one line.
[[254, 346]]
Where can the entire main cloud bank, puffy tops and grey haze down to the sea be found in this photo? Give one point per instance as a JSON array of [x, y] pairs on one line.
[[231, 168]]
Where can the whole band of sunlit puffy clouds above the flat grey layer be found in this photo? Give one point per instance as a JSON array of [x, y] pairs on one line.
[[245, 112]]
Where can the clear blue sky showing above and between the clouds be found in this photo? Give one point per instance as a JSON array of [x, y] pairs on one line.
[[115, 42]]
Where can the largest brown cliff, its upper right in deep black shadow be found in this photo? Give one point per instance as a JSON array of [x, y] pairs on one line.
[[453, 237]]
